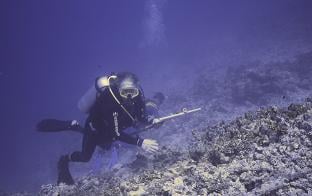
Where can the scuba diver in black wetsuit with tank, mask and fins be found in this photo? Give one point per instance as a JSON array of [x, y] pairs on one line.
[[113, 104]]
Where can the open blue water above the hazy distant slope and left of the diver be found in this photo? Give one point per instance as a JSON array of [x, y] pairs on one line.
[[51, 52]]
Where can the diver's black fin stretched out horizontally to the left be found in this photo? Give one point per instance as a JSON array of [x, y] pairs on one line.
[[54, 125]]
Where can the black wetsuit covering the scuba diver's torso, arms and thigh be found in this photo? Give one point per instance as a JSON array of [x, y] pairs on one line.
[[107, 121]]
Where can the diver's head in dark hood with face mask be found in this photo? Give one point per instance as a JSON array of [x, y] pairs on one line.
[[128, 85]]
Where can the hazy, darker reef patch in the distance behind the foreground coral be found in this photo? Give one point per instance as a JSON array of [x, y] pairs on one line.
[[255, 82]]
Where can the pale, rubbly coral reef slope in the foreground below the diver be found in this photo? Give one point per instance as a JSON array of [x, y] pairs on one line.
[[263, 152]]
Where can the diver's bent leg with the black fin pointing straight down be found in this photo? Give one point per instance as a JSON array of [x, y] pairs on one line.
[[88, 147]]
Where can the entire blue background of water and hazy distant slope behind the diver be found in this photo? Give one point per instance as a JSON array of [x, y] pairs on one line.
[[227, 57]]
